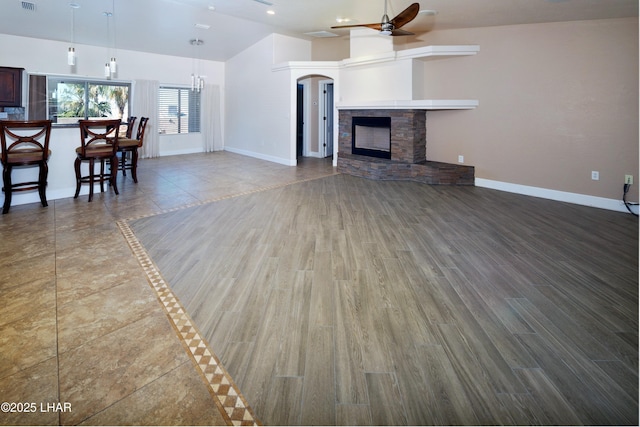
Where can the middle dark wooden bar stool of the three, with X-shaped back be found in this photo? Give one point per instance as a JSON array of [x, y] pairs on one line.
[[99, 141]]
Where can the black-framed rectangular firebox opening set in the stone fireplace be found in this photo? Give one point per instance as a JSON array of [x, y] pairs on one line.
[[371, 136]]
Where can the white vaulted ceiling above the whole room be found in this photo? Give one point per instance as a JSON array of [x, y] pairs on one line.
[[229, 26]]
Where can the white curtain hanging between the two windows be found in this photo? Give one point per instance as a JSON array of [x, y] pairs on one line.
[[145, 104]]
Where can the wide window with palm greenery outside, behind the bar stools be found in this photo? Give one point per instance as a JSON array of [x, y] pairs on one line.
[[73, 99]]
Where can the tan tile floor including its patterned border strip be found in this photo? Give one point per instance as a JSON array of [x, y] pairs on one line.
[[90, 333]]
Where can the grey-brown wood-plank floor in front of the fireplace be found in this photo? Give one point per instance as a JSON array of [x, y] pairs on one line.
[[341, 300]]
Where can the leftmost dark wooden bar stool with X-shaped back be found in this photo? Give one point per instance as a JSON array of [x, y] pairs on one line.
[[25, 144]]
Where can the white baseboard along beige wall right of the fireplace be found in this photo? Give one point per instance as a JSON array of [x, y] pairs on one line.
[[561, 196]]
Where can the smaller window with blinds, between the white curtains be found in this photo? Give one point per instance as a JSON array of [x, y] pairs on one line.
[[178, 110]]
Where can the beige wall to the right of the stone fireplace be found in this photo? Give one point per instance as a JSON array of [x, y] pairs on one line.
[[557, 101]]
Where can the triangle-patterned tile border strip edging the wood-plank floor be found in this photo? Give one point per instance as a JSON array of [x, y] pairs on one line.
[[225, 392]]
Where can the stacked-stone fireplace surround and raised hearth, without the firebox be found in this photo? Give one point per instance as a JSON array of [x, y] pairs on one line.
[[408, 151]]
